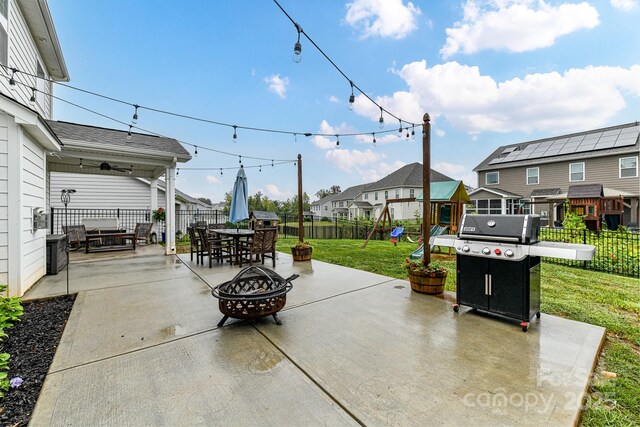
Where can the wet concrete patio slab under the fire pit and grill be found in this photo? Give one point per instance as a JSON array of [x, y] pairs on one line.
[[142, 348]]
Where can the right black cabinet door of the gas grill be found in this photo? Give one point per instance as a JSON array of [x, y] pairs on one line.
[[509, 279]]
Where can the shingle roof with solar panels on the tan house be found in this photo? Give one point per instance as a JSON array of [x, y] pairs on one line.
[[500, 151]]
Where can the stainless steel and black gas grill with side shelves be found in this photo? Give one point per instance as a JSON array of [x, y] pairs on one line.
[[498, 263]]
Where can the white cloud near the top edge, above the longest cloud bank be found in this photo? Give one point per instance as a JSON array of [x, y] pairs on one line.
[[516, 25]]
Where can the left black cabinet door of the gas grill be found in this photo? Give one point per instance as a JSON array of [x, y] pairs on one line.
[[472, 272]]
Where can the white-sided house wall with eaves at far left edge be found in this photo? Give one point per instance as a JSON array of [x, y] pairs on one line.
[[28, 42]]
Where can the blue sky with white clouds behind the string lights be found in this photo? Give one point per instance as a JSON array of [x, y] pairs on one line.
[[488, 72]]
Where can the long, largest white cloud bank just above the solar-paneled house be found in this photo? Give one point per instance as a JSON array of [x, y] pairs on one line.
[[576, 99]]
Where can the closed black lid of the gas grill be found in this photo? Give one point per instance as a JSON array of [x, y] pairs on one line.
[[502, 228]]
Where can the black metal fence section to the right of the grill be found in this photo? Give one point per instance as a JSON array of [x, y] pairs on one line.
[[616, 252]]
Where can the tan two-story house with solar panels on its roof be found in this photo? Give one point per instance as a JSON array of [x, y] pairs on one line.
[[537, 176]]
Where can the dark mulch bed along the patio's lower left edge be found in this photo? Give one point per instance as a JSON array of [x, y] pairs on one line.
[[32, 342]]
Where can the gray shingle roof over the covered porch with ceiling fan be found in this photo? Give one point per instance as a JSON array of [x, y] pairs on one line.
[[114, 137]]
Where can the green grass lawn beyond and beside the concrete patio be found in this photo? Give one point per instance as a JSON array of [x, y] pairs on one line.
[[587, 296]]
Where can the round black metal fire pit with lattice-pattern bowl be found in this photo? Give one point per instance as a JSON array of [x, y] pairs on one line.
[[254, 292]]
